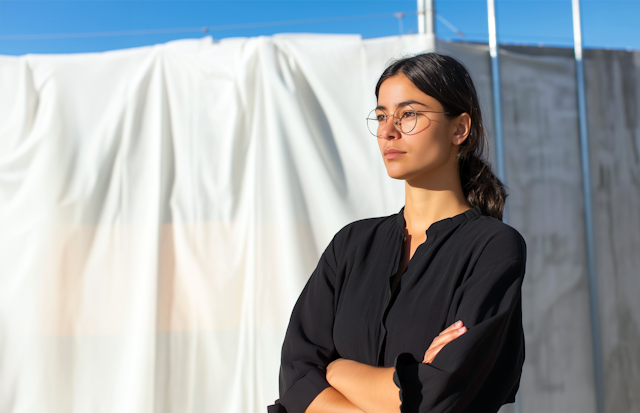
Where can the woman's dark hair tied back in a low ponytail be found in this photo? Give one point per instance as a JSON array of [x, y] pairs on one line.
[[448, 81]]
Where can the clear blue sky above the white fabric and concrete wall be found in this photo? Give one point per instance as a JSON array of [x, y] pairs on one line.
[[610, 24]]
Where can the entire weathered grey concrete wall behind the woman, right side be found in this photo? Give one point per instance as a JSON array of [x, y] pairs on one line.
[[546, 204]]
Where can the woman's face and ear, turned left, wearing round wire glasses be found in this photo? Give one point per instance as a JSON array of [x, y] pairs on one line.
[[419, 154]]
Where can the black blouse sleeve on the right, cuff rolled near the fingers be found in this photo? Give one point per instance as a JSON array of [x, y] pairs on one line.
[[480, 370]]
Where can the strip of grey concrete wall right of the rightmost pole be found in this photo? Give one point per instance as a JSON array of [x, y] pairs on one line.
[[613, 105]]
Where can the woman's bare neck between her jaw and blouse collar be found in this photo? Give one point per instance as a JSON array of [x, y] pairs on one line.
[[432, 199]]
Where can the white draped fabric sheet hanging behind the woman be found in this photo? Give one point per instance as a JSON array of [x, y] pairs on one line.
[[162, 207]]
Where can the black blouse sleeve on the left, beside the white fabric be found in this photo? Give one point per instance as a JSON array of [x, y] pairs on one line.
[[308, 345]]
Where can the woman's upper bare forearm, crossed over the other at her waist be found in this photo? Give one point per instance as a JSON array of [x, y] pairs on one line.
[[370, 388]]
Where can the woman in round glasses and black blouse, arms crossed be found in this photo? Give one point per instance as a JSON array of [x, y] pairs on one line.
[[420, 310]]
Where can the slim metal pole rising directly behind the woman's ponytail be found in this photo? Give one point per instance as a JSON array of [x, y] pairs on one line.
[[497, 96]]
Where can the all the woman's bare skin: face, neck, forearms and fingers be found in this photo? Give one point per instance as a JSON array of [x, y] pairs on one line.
[[427, 161]]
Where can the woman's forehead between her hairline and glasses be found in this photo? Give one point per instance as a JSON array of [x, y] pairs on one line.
[[398, 90]]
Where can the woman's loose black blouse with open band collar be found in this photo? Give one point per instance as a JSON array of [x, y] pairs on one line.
[[470, 268]]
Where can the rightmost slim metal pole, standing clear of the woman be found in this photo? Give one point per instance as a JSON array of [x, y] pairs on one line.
[[588, 216]]
